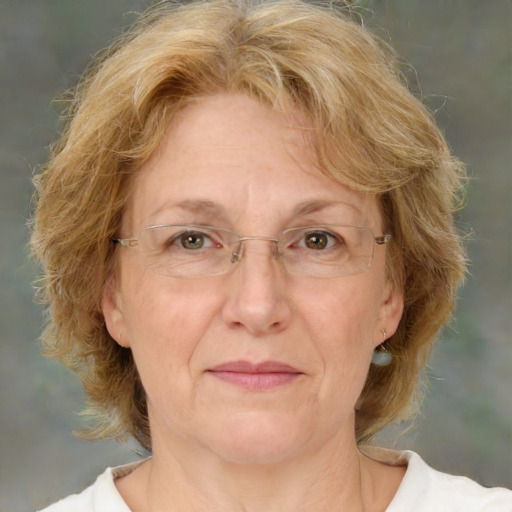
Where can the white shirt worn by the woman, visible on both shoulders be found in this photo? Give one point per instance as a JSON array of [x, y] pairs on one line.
[[423, 489]]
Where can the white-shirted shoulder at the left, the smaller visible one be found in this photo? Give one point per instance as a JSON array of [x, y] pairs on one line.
[[101, 496]]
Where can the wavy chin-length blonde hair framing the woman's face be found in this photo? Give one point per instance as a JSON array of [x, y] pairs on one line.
[[371, 133]]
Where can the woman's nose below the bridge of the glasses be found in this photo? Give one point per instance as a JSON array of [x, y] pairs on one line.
[[257, 299]]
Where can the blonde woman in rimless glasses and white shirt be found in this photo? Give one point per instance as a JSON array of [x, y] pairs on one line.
[[248, 246]]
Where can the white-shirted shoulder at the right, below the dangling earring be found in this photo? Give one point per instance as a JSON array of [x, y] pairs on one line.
[[424, 489]]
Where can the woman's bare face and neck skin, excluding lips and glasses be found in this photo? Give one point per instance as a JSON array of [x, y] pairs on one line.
[[231, 162]]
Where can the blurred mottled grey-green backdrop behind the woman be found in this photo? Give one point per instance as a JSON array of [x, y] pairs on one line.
[[461, 54]]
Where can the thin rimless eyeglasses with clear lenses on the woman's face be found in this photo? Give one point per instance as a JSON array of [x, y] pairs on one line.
[[191, 251]]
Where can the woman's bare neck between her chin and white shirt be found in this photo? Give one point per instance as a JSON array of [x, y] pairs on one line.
[[331, 478]]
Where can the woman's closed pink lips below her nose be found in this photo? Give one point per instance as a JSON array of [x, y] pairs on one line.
[[255, 377]]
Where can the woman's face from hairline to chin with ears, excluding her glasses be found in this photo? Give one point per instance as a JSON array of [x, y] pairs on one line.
[[229, 162]]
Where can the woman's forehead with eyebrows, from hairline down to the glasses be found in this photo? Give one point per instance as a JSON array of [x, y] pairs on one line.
[[228, 158]]
